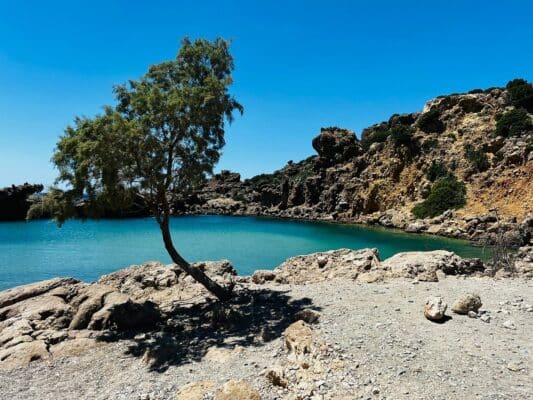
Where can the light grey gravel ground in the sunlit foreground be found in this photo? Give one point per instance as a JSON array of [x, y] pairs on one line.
[[387, 348]]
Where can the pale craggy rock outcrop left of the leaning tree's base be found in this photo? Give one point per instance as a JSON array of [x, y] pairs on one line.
[[64, 316]]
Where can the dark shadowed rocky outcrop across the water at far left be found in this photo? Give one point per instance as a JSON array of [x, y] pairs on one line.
[[15, 201]]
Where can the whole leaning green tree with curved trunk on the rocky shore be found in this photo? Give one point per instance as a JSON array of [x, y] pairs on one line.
[[159, 142]]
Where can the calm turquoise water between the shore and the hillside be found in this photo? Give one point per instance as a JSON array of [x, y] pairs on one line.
[[37, 250]]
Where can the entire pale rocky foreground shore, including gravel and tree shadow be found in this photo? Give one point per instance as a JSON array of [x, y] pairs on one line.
[[353, 337]]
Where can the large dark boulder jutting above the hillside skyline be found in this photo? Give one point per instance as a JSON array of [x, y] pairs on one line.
[[336, 145]]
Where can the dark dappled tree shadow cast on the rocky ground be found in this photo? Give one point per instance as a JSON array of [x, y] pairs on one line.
[[251, 318]]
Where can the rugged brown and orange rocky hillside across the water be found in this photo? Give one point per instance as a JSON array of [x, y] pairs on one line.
[[483, 138]]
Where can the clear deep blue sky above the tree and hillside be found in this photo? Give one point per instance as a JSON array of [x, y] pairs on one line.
[[300, 65]]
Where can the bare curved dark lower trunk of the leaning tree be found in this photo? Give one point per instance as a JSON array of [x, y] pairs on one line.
[[221, 293]]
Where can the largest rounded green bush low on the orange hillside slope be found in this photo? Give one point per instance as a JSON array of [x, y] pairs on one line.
[[447, 193]]
